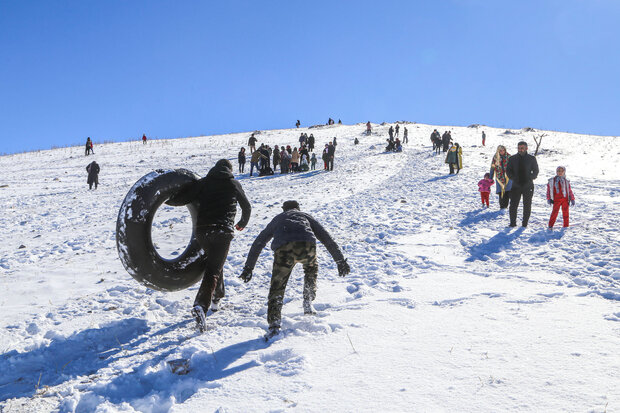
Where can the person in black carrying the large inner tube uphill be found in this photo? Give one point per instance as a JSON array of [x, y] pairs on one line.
[[217, 195]]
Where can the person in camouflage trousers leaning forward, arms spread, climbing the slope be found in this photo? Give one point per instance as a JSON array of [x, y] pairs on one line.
[[294, 236]]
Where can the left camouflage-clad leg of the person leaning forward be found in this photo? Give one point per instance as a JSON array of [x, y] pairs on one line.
[[283, 263]]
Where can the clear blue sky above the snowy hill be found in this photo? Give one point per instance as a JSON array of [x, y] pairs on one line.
[[113, 70]]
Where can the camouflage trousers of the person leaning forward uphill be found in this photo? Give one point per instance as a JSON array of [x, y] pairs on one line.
[[284, 259]]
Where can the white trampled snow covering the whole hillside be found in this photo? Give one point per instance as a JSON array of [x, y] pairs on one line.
[[445, 309]]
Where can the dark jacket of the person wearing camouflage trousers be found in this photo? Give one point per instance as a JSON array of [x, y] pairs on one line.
[[291, 226]]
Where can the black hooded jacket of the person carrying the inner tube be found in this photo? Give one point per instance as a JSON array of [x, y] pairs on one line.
[[217, 195]]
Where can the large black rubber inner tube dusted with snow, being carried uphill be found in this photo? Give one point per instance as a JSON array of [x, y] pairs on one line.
[[133, 233]]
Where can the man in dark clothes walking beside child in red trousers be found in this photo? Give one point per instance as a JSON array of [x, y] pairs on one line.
[[522, 169]]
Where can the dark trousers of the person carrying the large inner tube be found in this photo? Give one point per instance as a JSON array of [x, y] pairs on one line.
[[215, 245]]
